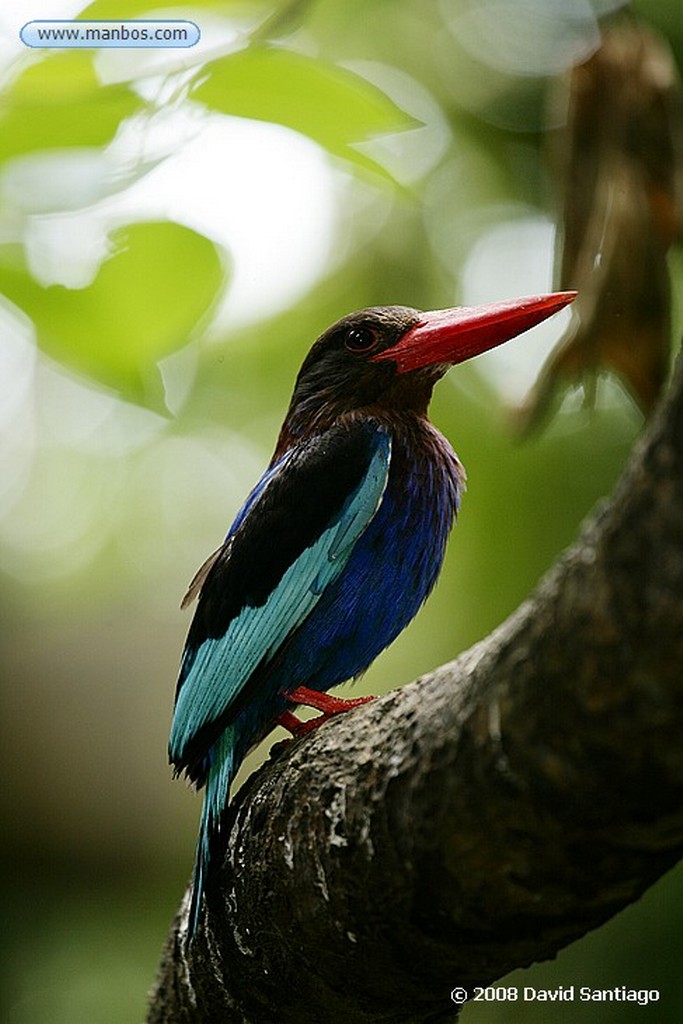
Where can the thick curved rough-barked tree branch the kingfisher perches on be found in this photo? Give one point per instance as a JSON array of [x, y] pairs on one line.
[[478, 820]]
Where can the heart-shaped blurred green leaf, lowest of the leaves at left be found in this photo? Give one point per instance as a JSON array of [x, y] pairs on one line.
[[144, 305]]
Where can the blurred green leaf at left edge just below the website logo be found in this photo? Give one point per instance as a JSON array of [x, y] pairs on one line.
[[59, 103]]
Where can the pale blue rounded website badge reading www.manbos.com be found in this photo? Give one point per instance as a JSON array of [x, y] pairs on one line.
[[110, 34]]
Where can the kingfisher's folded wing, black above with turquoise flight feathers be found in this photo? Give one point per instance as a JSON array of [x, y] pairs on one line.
[[292, 540]]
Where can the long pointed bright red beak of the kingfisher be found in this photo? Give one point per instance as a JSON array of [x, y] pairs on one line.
[[456, 335]]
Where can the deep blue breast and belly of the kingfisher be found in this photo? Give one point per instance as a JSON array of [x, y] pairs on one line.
[[394, 568]]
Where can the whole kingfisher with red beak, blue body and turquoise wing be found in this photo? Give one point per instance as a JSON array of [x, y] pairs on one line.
[[337, 546]]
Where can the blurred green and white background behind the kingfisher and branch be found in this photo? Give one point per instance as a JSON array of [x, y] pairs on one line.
[[177, 228]]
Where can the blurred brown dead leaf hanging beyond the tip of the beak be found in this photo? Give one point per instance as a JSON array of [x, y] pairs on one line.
[[620, 170]]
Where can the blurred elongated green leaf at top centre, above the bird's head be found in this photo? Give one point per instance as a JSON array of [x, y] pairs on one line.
[[330, 105]]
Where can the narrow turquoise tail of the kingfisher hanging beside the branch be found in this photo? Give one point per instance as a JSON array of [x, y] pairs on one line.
[[217, 795]]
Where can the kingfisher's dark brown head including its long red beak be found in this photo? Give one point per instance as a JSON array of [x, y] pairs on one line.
[[390, 358]]
